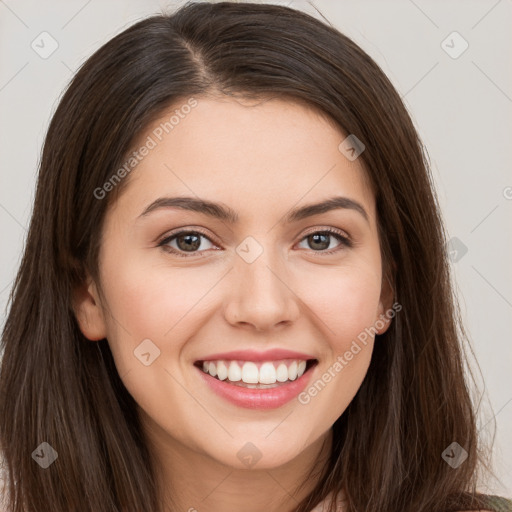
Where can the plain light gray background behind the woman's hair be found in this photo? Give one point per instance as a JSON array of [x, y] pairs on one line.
[[462, 108]]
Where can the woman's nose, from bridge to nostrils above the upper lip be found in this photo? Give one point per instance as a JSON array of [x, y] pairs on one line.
[[259, 294]]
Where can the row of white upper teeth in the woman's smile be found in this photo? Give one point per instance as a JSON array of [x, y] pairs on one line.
[[248, 372]]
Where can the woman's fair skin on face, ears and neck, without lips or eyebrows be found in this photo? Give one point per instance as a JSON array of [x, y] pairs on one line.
[[261, 159]]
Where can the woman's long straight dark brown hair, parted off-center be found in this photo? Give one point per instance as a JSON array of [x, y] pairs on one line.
[[57, 387]]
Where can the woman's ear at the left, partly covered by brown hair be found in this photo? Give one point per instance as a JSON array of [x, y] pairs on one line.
[[88, 310]]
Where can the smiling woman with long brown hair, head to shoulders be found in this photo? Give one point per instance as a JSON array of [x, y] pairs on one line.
[[178, 340]]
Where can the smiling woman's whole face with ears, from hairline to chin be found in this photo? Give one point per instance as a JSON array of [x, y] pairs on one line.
[[254, 285]]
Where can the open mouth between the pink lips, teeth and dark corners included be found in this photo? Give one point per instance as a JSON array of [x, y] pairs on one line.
[[257, 374]]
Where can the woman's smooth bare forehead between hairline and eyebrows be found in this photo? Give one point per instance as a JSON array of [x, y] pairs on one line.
[[257, 153]]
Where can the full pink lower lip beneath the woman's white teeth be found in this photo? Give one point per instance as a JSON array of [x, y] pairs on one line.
[[251, 398]]
